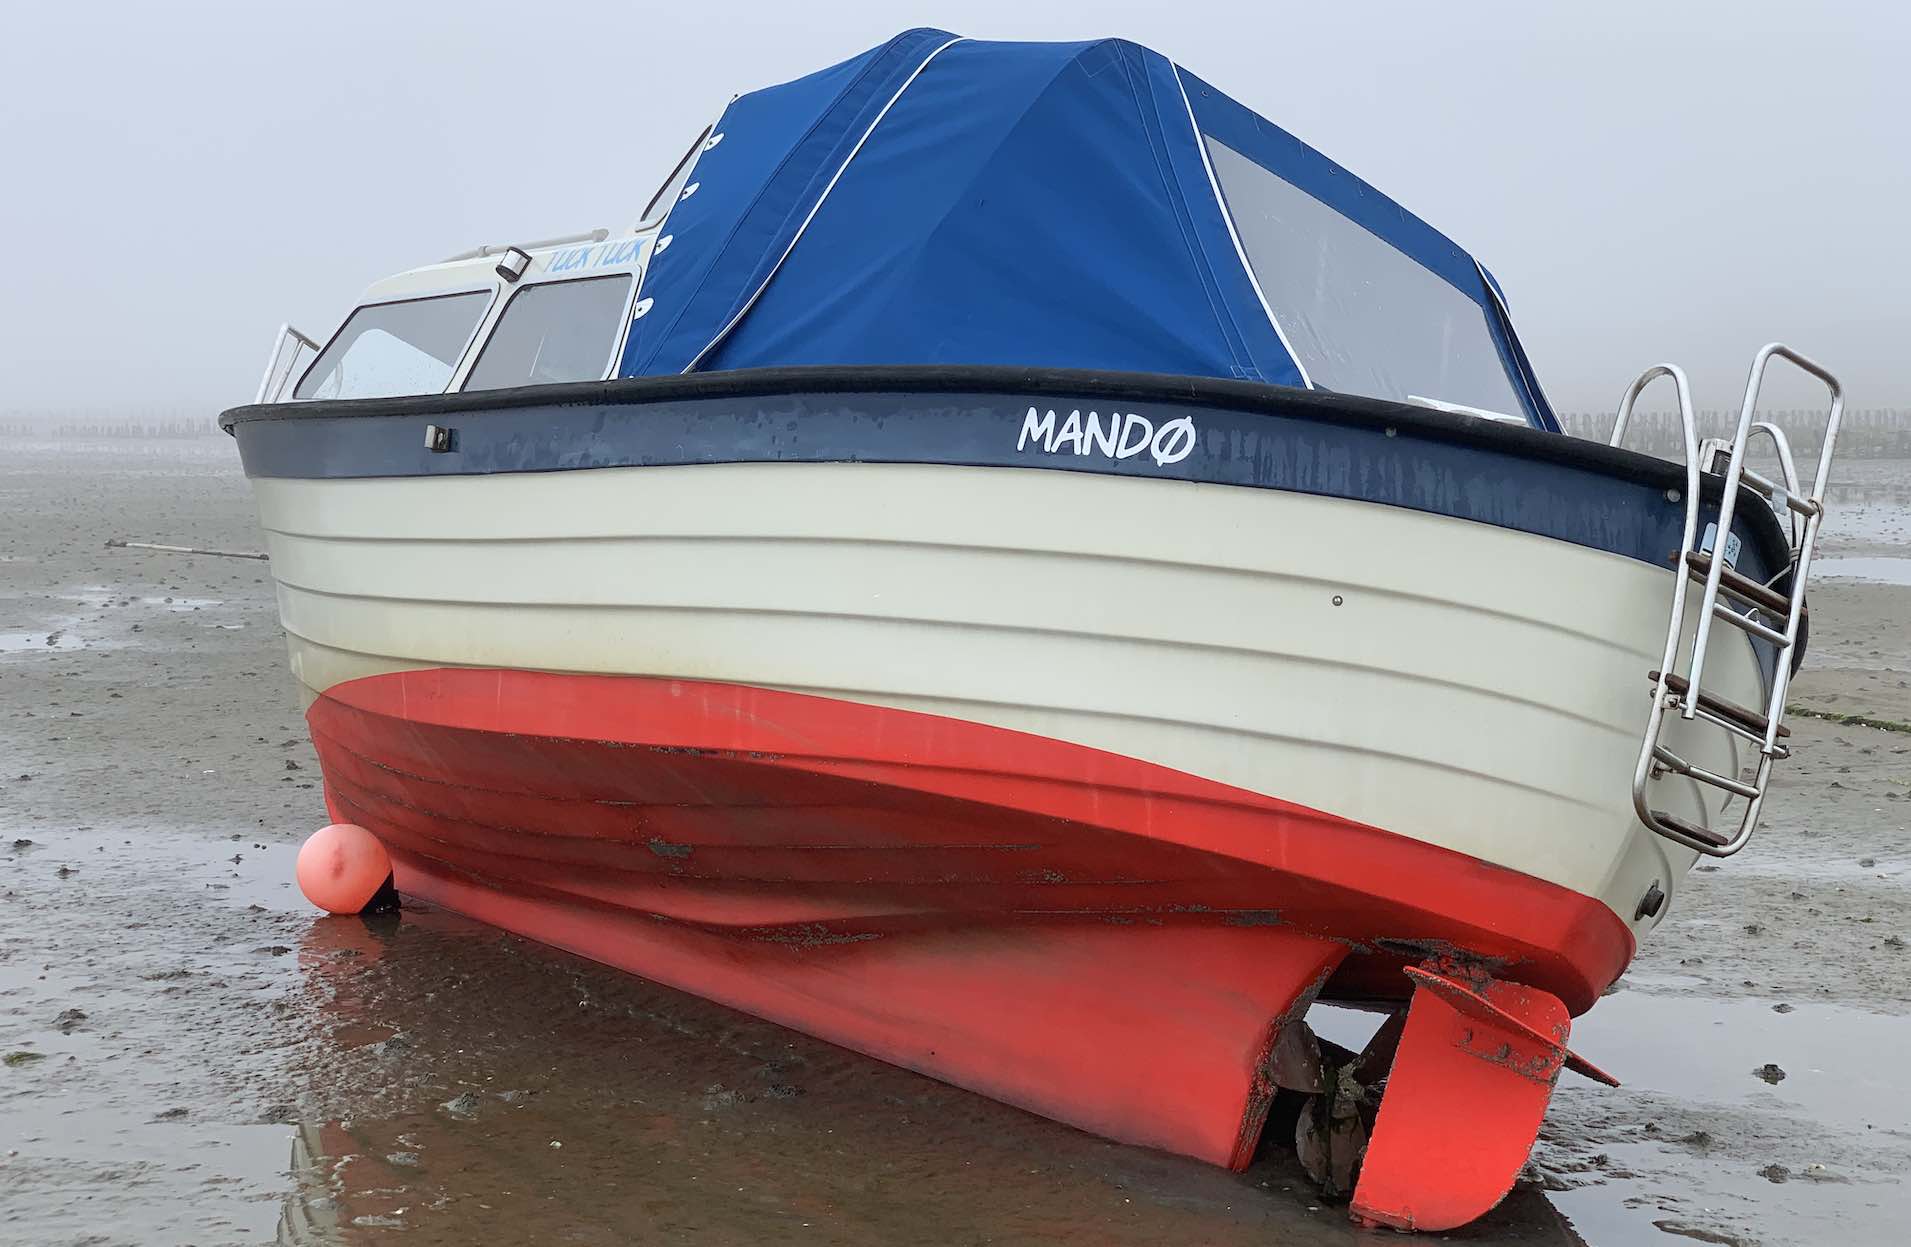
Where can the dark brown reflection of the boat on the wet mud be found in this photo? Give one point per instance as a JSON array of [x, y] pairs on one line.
[[469, 1088]]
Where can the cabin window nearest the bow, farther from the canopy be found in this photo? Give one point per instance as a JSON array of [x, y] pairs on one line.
[[387, 350]]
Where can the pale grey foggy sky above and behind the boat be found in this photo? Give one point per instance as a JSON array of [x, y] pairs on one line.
[[1646, 180]]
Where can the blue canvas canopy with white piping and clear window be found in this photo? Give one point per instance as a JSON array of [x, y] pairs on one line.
[[1084, 205]]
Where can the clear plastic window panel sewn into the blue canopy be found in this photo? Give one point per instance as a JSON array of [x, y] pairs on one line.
[[1360, 314]]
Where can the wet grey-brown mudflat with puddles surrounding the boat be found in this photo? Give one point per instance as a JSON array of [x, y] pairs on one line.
[[194, 1057]]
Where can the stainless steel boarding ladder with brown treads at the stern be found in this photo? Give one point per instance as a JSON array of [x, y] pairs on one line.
[[1750, 604]]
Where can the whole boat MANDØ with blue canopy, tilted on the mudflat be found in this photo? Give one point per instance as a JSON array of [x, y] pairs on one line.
[[1025, 570]]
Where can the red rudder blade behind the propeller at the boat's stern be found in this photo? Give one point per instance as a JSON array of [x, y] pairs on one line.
[[1471, 1082]]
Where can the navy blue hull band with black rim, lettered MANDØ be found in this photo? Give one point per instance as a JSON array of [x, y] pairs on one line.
[[1128, 425]]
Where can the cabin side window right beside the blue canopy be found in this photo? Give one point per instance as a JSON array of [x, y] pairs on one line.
[[557, 331]]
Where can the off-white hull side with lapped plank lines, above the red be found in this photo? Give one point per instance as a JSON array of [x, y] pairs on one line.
[[1457, 683]]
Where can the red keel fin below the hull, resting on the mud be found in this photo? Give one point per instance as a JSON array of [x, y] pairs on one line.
[[1155, 1036]]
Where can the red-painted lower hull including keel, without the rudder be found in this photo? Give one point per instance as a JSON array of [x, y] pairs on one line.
[[1096, 939]]
